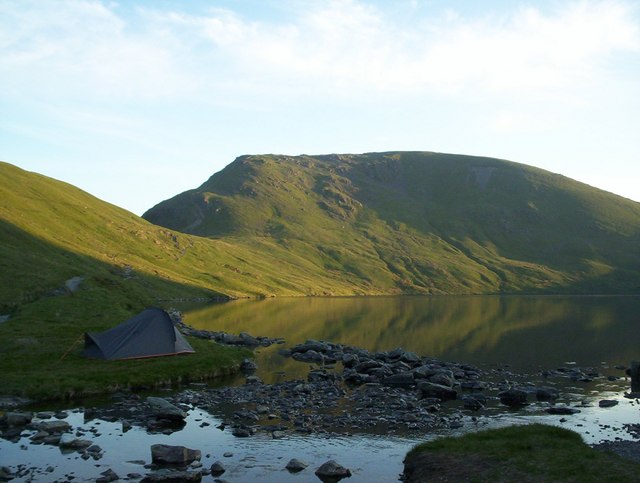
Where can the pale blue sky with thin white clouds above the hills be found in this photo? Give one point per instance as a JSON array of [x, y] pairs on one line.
[[137, 101]]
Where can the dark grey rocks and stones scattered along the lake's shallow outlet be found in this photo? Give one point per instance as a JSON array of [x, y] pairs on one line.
[[347, 390]]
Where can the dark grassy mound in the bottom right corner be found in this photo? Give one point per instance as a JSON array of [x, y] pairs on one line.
[[518, 453]]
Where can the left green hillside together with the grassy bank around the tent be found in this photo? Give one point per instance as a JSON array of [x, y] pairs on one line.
[[51, 231]]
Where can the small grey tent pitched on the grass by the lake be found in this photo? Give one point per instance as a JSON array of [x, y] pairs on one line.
[[151, 333]]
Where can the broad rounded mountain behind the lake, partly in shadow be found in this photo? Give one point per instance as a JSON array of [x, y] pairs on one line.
[[419, 222]]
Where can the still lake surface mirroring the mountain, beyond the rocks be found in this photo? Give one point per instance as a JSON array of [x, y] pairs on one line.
[[524, 332]]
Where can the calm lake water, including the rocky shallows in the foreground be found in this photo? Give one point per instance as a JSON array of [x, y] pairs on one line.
[[527, 334]]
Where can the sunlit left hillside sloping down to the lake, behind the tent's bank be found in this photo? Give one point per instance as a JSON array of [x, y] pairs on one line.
[[51, 231]]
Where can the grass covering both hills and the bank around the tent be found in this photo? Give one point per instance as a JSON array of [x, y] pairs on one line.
[[380, 223]]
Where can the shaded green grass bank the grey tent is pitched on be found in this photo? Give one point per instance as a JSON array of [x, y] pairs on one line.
[[42, 350]]
